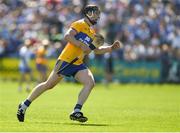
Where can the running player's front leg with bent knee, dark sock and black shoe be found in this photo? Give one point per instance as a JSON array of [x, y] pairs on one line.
[[86, 78]]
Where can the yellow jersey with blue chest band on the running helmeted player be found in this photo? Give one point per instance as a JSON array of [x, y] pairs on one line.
[[84, 34]]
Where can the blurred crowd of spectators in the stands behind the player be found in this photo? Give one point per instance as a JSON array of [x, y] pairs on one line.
[[149, 29]]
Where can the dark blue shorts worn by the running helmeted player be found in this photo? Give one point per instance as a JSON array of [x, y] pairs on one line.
[[71, 70]]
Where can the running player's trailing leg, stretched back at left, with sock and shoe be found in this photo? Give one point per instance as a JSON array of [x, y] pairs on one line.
[[37, 91]]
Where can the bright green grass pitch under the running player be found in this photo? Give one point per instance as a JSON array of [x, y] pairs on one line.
[[130, 107]]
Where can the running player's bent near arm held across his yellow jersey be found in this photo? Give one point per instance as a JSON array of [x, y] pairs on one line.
[[69, 37]]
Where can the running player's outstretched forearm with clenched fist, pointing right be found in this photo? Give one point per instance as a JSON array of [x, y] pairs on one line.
[[105, 49]]
